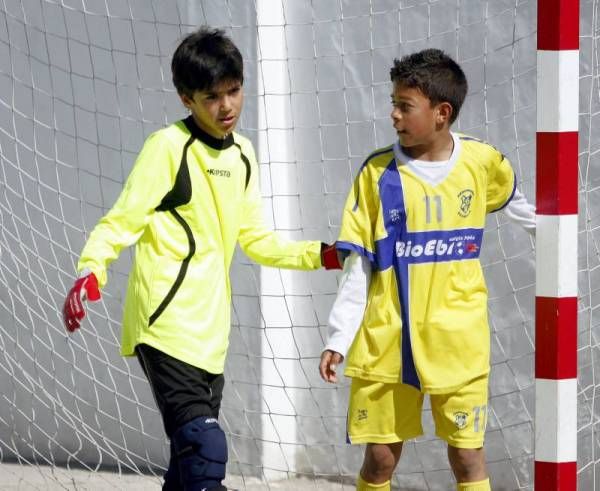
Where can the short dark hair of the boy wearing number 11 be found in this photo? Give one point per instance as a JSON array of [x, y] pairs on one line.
[[435, 74]]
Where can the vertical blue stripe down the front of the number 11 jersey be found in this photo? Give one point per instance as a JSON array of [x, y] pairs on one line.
[[394, 213]]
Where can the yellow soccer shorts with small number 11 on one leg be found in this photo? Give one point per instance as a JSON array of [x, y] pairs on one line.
[[390, 413]]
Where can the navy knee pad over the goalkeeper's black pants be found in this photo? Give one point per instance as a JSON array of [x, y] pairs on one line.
[[201, 451]]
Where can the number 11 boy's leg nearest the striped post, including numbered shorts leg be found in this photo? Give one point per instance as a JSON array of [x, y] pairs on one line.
[[460, 419]]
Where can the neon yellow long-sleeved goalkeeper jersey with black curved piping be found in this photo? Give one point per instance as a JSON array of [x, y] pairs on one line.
[[187, 202]]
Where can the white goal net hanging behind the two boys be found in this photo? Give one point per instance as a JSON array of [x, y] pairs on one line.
[[83, 82]]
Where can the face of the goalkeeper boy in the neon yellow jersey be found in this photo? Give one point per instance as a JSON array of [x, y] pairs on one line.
[[218, 109]]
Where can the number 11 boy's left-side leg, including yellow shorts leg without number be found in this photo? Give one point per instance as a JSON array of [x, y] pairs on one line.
[[382, 416]]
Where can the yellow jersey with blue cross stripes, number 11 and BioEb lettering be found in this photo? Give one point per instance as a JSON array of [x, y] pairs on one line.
[[425, 322]]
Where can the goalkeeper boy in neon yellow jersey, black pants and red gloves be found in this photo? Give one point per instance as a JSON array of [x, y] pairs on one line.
[[192, 195]]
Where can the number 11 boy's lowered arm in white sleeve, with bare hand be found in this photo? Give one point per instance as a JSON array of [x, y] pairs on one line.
[[346, 315]]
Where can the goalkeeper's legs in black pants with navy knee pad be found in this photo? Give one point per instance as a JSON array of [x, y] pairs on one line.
[[189, 401]]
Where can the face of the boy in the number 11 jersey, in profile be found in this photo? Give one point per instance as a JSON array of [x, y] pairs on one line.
[[417, 122]]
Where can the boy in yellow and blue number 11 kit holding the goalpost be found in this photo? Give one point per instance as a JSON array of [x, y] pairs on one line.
[[411, 310]]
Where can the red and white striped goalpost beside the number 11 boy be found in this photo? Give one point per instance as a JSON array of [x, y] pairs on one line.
[[556, 245]]
